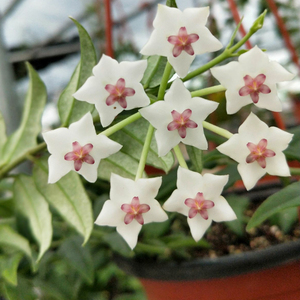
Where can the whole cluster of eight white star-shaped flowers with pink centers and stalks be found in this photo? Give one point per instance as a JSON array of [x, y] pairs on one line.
[[177, 116]]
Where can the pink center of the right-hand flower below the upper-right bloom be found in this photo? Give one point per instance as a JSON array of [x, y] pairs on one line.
[[259, 153]]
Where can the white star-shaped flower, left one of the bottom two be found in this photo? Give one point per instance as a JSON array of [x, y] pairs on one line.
[[131, 205]]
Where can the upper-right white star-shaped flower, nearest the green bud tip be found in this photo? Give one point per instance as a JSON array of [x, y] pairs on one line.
[[252, 79]]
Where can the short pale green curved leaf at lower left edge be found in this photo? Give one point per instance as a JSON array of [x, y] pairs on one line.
[[8, 237]]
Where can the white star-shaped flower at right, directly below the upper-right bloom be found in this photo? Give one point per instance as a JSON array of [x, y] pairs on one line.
[[258, 150]]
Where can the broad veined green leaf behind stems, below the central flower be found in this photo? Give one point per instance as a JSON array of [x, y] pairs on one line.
[[125, 162]]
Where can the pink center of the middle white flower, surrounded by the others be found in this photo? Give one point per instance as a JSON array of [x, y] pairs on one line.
[[181, 122]]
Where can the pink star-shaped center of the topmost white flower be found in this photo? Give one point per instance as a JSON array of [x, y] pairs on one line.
[[182, 42]]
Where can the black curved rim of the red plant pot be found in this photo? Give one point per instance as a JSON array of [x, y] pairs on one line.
[[213, 268]]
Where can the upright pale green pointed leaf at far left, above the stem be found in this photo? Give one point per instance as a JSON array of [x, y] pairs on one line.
[[24, 138]]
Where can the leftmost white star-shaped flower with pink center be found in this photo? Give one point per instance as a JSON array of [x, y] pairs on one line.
[[77, 148]]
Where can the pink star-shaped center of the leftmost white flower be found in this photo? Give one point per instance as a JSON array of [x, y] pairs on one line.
[[80, 155]]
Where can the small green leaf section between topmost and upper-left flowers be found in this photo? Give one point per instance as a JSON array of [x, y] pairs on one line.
[[154, 72]]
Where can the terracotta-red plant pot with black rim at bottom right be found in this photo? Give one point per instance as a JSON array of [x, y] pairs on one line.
[[269, 274]]
